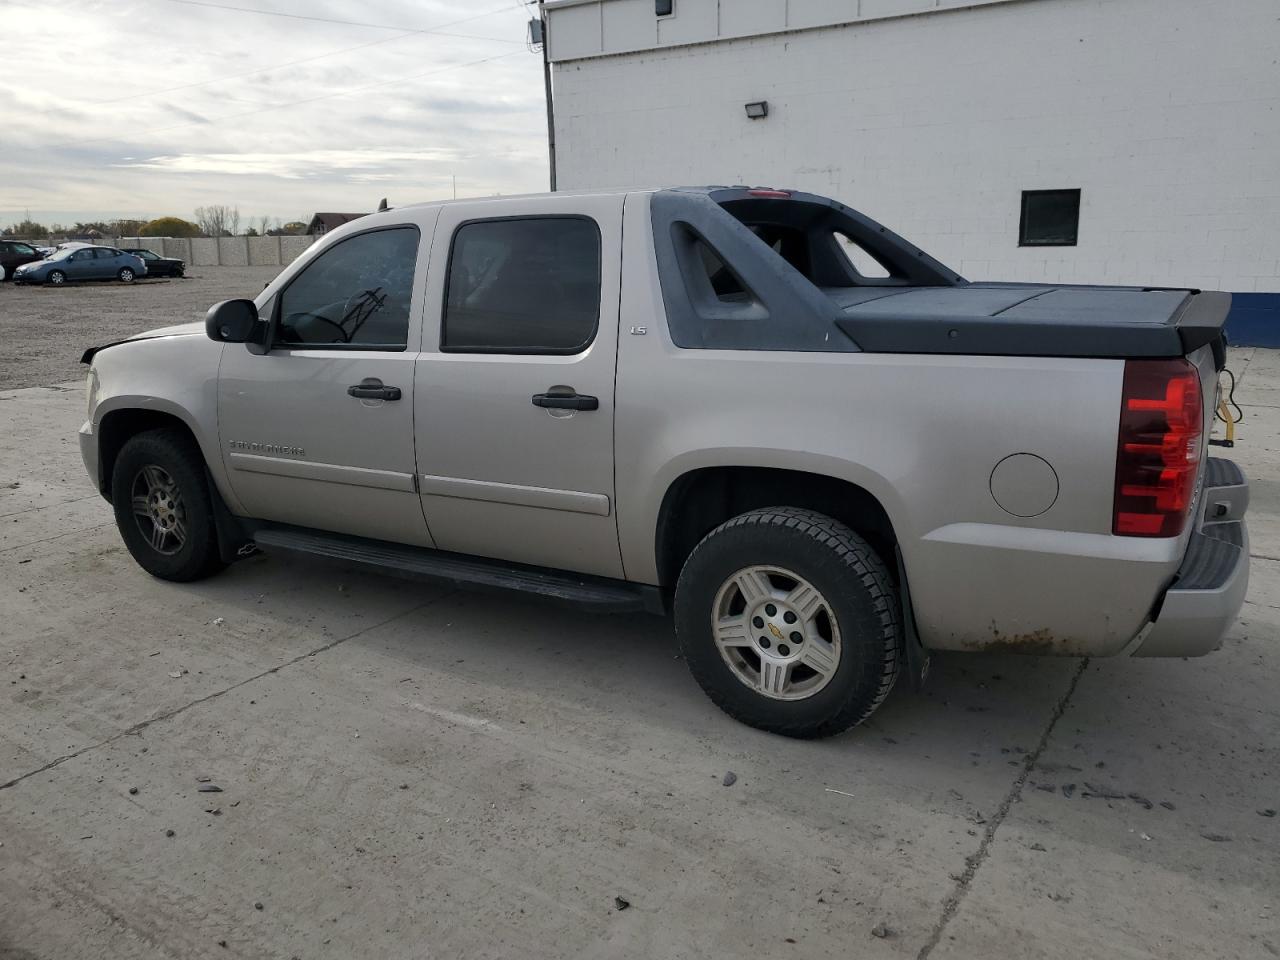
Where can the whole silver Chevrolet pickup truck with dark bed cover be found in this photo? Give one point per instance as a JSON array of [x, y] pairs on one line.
[[816, 447]]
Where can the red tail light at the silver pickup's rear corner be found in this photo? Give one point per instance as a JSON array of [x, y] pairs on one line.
[[1162, 427]]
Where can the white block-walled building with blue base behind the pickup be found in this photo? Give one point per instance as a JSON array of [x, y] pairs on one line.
[[936, 116]]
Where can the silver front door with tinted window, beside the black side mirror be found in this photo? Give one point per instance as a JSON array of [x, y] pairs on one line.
[[319, 431]]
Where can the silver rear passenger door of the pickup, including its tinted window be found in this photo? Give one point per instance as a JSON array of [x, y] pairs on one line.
[[514, 394]]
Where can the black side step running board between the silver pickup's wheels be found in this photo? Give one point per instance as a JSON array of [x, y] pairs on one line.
[[473, 573]]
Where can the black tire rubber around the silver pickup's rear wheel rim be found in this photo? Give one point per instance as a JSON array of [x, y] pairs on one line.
[[857, 588]]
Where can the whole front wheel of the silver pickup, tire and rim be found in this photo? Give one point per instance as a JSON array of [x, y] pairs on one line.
[[163, 509]]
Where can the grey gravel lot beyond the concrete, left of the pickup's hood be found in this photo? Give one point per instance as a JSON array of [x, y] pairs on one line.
[[47, 328]]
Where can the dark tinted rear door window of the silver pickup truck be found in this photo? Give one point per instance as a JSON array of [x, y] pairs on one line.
[[523, 286]]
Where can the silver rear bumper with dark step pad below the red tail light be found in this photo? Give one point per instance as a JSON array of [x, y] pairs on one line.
[[1209, 591]]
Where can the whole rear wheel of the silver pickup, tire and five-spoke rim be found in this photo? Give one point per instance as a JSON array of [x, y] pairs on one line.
[[789, 623]]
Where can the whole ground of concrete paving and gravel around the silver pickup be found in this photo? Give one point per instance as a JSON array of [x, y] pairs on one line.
[[408, 771]]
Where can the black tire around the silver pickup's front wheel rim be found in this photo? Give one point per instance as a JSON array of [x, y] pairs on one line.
[[179, 458]]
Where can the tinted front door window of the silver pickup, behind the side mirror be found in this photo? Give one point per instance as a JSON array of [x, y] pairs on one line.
[[358, 292]]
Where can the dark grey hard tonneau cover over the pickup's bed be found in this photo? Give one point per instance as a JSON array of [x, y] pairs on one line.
[[1022, 321]]
